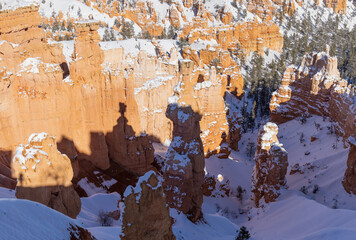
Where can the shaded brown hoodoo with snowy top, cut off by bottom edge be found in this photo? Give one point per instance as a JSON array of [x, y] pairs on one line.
[[145, 214]]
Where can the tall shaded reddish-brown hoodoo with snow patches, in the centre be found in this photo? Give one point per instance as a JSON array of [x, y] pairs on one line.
[[184, 168]]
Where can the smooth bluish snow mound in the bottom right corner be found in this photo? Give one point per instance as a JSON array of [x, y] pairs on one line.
[[301, 218]]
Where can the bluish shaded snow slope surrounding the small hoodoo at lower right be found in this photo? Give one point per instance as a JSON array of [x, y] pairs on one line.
[[319, 210]]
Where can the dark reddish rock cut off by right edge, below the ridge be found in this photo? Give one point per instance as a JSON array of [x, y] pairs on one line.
[[349, 181]]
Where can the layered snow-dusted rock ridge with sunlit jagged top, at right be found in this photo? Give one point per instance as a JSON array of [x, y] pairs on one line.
[[315, 87]]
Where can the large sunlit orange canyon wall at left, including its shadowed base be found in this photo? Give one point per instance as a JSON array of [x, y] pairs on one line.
[[101, 103]]
